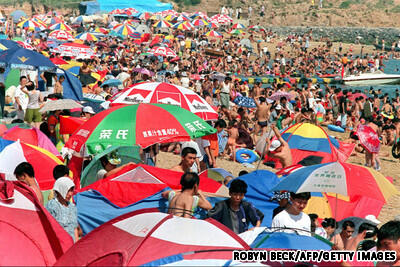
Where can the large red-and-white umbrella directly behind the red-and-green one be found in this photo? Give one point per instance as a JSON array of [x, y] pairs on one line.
[[165, 93]]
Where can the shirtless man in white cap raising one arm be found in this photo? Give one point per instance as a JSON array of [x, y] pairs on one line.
[[280, 149]]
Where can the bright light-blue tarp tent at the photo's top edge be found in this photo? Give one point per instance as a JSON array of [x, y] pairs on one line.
[[140, 5]]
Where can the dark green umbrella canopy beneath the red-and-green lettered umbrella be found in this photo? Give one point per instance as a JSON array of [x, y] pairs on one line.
[[126, 154]]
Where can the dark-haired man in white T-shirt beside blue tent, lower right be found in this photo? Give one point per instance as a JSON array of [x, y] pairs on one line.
[[293, 219]]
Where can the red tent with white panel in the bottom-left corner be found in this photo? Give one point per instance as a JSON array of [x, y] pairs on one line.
[[29, 234]]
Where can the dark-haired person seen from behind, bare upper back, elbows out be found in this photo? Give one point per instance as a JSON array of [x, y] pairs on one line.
[[185, 202]]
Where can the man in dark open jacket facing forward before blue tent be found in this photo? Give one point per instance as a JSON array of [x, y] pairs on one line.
[[236, 213]]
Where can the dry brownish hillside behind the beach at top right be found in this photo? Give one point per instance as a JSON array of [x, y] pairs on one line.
[[351, 13]]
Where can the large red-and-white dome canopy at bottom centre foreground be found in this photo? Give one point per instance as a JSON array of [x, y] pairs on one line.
[[152, 231]]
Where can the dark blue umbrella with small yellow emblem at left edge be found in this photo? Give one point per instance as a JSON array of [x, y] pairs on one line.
[[22, 58]]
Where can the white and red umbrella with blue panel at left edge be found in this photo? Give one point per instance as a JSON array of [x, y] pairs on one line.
[[43, 161]]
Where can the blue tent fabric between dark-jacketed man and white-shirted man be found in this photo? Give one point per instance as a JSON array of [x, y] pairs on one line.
[[259, 192]]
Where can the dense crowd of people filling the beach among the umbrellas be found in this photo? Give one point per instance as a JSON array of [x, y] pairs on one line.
[[218, 78]]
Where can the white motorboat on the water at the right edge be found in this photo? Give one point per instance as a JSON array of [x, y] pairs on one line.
[[372, 78]]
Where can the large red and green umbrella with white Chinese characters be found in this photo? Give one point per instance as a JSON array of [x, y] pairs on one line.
[[141, 124]]
